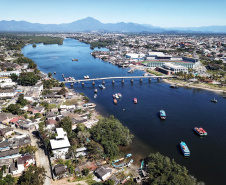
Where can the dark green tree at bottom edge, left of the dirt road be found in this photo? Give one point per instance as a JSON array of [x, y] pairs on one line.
[[33, 176]]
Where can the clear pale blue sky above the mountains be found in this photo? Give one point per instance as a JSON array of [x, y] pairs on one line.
[[161, 13]]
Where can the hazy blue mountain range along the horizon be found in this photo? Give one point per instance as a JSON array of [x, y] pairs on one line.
[[91, 24]]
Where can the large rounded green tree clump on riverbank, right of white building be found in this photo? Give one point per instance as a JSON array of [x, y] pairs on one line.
[[110, 133]]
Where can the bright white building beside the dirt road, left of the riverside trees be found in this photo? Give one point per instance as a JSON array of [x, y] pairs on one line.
[[61, 144]]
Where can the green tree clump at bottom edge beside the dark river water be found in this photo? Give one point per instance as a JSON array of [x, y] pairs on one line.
[[162, 170]]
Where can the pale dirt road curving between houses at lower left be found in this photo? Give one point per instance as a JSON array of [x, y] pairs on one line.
[[41, 158]]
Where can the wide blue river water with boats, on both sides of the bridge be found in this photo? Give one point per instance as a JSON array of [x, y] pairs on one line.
[[185, 108]]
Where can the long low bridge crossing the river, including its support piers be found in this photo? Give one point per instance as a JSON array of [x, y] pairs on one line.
[[113, 79]]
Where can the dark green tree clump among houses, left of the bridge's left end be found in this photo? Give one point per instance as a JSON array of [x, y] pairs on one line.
[[28, 79]]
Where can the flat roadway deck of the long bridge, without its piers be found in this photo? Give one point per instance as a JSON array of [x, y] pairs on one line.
[[122, 77]]
